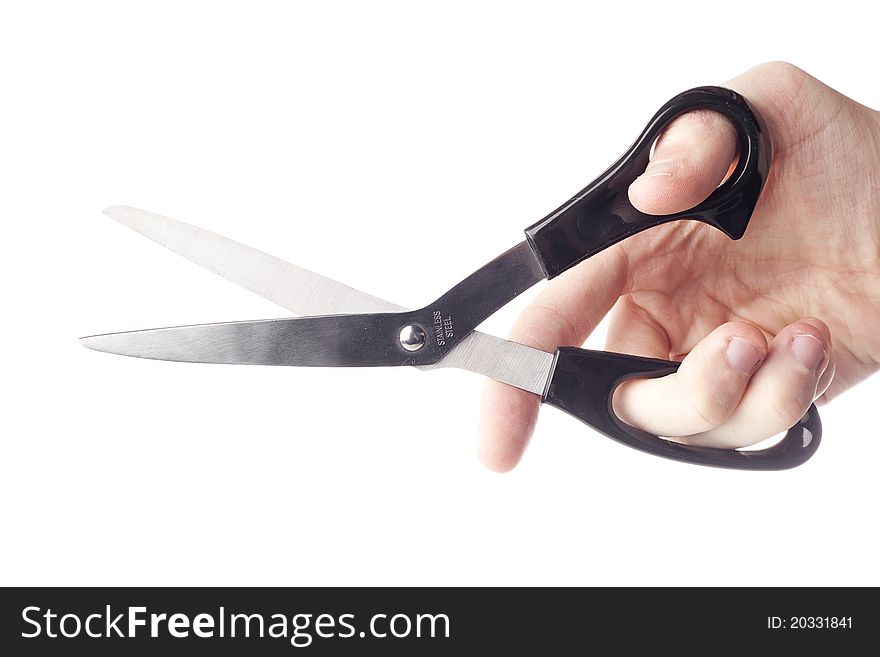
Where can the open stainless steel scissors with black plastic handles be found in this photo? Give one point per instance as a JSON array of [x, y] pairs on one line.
[[343, 327]]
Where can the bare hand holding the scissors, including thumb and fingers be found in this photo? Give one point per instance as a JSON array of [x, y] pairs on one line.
[[751, 320]]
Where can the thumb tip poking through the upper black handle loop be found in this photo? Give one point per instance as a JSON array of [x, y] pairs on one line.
[[690, 159]]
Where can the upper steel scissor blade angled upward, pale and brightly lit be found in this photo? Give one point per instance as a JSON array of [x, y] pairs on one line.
[[298, 290]]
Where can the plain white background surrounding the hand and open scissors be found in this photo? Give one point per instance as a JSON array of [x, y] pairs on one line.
[[395, 147]]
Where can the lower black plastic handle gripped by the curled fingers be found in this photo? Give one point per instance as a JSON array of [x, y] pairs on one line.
[[582, 384]]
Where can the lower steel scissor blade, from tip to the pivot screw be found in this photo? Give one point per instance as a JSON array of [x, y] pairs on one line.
[[325, 341]]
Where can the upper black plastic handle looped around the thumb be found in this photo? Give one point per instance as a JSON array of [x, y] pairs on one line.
[[601, 215]]
